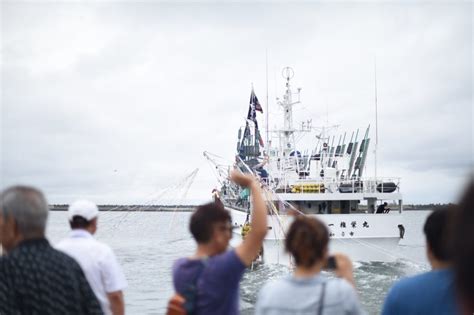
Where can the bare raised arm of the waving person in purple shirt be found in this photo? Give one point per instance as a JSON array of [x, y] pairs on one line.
[[250, 247]]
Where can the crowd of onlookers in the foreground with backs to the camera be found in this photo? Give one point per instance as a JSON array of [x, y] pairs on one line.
[[81, 275]]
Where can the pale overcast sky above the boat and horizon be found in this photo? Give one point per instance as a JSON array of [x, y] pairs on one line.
[[116, 101]]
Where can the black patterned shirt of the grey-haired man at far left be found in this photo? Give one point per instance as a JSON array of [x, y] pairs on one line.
[[37, 279]]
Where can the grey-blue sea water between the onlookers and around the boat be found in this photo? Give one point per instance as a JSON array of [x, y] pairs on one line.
[[147, 243]]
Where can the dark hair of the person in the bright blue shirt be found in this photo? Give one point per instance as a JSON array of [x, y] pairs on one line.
[[437, 230]]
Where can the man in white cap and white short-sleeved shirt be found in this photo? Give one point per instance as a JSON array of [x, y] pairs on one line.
[[96, 259]]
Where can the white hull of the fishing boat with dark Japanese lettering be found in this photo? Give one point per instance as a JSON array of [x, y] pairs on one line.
[[374, 241]]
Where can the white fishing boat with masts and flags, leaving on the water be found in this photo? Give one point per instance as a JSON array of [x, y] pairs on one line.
[[323, 176]]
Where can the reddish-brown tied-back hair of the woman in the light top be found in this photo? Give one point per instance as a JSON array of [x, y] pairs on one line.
[[306, 240]]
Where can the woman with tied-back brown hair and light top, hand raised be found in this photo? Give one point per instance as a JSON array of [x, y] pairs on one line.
[[307, 291]]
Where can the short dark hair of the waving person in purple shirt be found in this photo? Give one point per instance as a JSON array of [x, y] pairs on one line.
[[204, 218]]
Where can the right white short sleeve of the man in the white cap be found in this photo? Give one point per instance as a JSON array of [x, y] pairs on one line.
[[111, 272]]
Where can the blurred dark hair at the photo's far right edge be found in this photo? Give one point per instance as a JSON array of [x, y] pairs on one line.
[[463, 244]]
